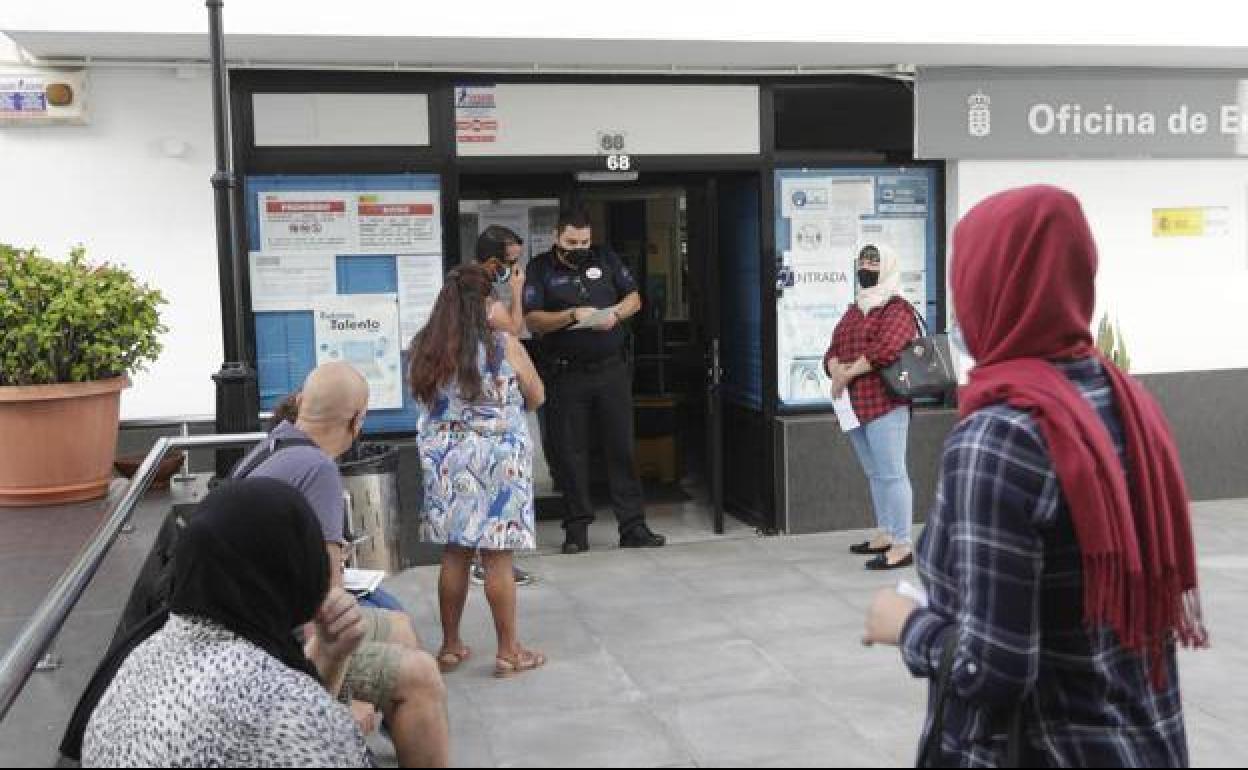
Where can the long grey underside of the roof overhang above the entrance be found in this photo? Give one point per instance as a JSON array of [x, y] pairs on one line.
[[555, 56]]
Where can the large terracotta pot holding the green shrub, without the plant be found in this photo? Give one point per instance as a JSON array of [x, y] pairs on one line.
[[58, 442]]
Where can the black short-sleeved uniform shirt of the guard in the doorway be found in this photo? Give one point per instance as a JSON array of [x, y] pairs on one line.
[[601, 281]]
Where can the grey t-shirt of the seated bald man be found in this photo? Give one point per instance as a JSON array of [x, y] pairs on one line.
[[310, 471]]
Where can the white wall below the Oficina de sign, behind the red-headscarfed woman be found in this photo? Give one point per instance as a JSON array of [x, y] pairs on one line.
[[1181, 301]]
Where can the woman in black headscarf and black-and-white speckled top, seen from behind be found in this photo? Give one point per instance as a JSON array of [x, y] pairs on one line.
[[225, 683]]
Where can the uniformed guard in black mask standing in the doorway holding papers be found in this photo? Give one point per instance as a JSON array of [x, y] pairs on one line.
[[577, 300]]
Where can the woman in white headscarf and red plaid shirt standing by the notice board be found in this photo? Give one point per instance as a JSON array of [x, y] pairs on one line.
[[870, 338]]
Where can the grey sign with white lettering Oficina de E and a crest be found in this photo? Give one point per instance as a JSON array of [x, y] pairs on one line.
[[1038, 114]]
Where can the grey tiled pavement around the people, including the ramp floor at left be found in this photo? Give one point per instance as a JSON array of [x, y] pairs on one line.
[[734, 651]]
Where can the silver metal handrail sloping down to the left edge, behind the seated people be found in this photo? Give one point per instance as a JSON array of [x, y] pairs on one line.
[[38, 636]]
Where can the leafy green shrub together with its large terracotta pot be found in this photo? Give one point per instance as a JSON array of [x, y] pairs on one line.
[[71, 336]]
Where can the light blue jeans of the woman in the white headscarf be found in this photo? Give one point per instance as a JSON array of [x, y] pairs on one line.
[[882, 449]]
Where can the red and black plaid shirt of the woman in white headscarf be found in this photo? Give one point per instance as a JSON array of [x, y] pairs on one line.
[[880, 336]]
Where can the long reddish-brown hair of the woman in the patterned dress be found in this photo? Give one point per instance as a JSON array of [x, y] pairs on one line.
[[449, 346]]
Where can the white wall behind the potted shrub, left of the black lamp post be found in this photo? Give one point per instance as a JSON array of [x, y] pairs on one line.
[[110, 187]]
